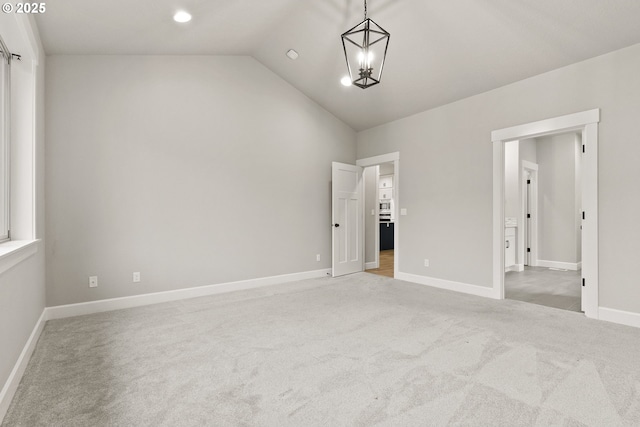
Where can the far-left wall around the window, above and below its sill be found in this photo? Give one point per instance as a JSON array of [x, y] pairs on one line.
[[22, 288]]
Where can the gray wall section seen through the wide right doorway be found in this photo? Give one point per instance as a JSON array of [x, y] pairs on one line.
[[557, 234]]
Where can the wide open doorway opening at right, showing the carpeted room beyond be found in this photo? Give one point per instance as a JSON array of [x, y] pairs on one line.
[[543, 205]]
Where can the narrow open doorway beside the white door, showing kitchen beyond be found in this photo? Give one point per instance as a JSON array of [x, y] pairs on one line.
[[380, 218]]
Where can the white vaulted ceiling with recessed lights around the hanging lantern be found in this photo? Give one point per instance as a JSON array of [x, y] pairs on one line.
[[439, 52]]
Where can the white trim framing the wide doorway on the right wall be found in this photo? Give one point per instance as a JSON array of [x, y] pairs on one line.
[[587, 123]]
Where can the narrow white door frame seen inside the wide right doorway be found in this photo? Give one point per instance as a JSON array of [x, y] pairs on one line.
[[532, 168]]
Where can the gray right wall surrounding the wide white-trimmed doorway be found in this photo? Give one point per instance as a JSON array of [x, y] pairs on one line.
[[446, 158]]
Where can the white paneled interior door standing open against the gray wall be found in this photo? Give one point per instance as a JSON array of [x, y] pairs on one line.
[[347, 219]]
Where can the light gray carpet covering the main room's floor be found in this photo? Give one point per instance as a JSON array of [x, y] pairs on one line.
[[359, 350]]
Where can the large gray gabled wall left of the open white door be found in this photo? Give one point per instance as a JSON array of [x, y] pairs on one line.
[[192, 170]]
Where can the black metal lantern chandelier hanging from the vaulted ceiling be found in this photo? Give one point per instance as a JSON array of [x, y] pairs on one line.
[[365, 49]]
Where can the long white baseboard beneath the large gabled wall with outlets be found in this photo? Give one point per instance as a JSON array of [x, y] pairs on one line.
[[70, 310]]
